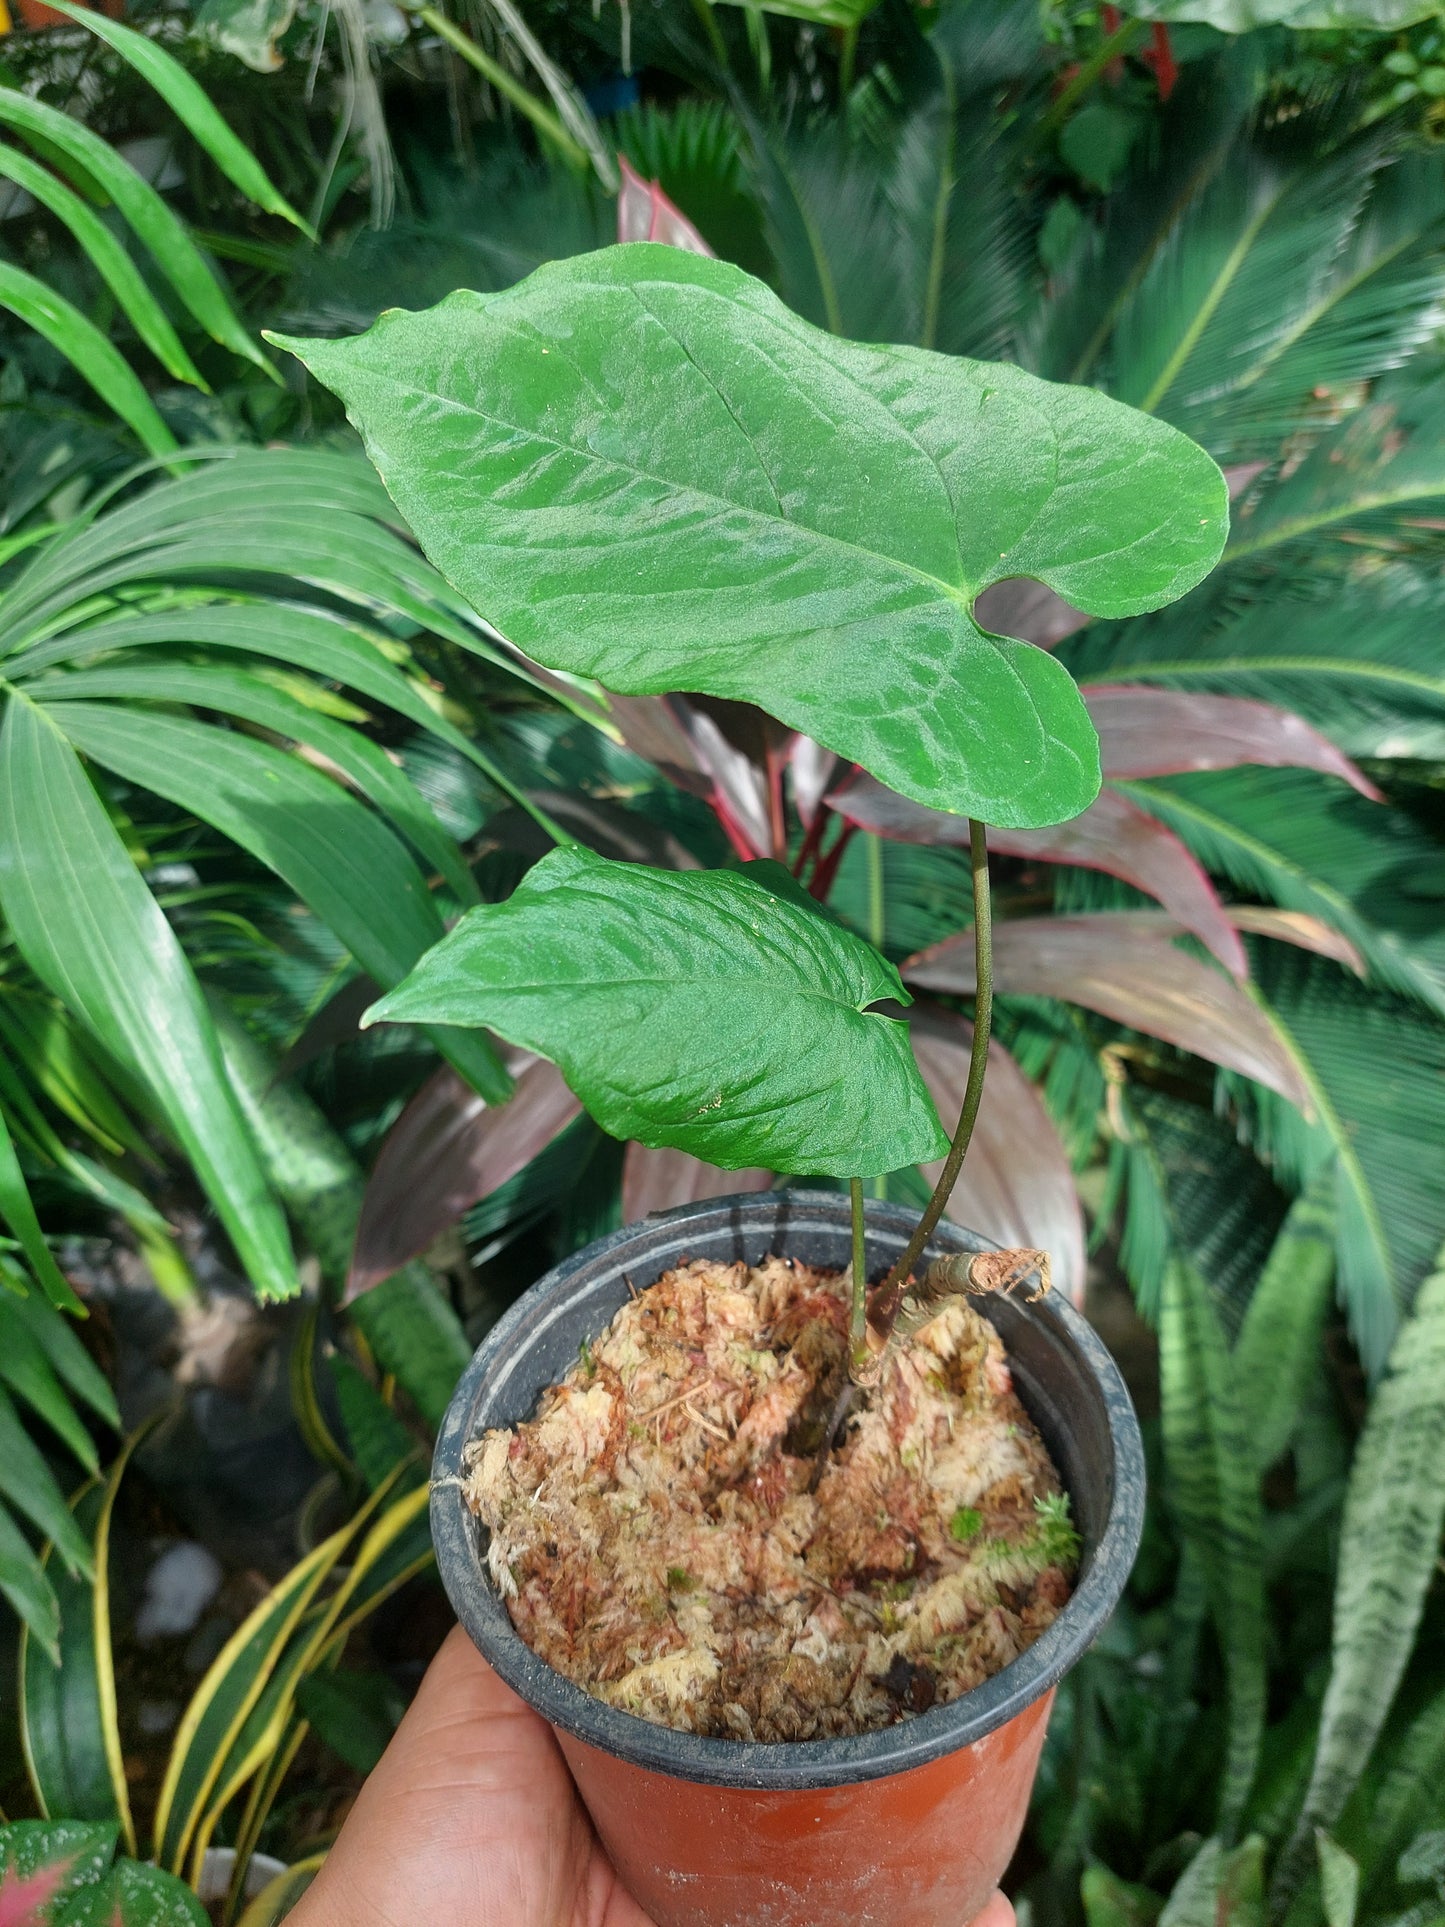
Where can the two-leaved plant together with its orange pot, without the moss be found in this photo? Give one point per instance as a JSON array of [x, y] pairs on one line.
[[643, 469]]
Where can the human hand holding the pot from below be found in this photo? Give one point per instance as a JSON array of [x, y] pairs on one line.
[[471, 1820]]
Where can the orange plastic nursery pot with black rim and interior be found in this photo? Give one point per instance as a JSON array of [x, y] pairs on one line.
[[905, 1828]]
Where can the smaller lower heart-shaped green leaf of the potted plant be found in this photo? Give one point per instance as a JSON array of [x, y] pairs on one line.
[[698, 1011]]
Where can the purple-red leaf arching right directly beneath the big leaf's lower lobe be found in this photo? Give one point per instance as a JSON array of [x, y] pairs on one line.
[[1113, 835]]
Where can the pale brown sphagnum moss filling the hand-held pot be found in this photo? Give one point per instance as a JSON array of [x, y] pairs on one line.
[[656, 1541]]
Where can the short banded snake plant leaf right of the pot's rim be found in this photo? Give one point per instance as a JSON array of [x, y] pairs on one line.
[[1278, 1352]]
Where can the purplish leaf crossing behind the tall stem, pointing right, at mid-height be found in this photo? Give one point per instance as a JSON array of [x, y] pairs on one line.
[[1126, 968]]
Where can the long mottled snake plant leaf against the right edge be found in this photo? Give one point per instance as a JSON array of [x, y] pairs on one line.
[[1388, 1554]]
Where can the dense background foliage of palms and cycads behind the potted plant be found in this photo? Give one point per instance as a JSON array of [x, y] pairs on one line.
[[255, 752]]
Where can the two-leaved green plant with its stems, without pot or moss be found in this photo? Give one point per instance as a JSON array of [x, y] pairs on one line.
[[643, 469]]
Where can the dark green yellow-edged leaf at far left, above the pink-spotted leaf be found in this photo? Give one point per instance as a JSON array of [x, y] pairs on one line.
[[68, 1697]]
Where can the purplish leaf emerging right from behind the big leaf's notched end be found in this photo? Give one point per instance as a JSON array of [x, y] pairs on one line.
[[1159, 733]]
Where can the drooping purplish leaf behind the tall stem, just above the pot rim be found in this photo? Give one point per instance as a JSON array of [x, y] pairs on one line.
[[1016, 1182]]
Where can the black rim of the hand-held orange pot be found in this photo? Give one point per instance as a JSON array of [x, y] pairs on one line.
[[785, 1764]]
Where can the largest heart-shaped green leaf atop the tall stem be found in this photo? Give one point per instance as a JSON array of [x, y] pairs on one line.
[[644, 469]]
